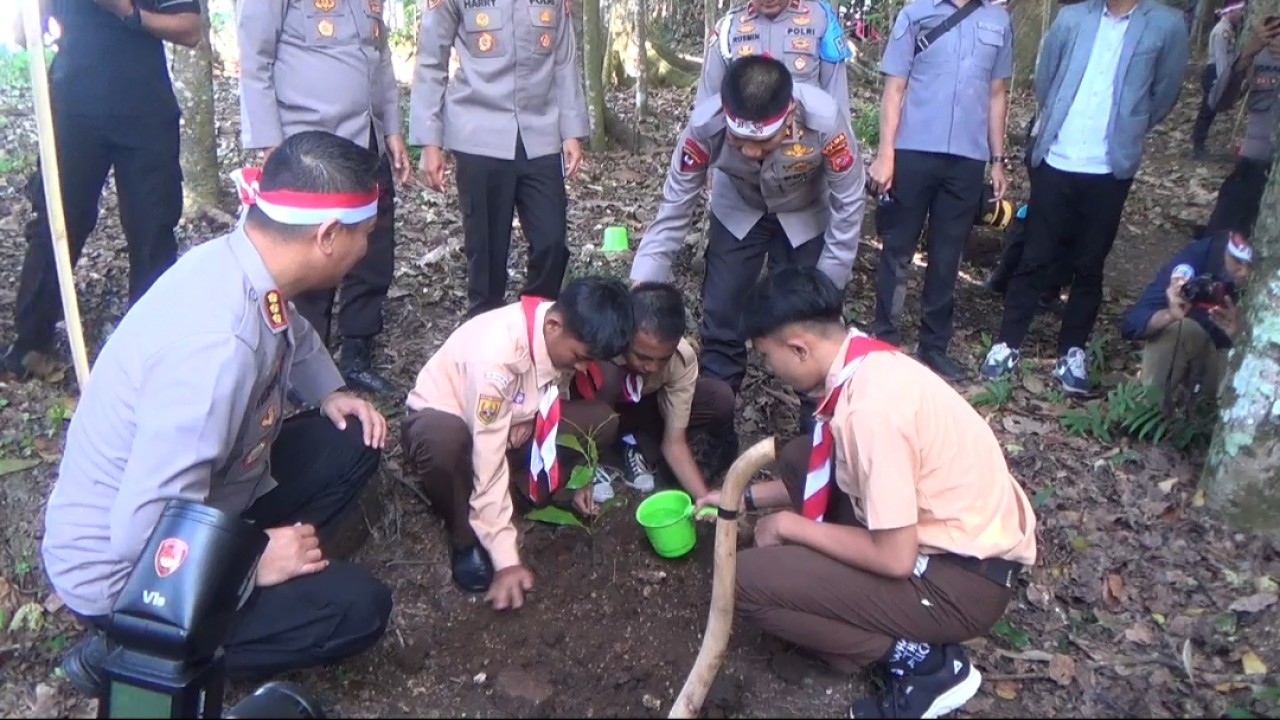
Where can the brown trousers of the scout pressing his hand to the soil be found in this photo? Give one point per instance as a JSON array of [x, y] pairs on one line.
[[438, 455]]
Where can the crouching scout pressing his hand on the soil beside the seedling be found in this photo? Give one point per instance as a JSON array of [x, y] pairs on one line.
[[484, 416]]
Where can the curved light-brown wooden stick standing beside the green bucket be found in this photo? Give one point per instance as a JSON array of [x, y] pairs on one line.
[[689, 704]]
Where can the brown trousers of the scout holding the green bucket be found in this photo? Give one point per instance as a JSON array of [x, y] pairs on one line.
[[852, 618]]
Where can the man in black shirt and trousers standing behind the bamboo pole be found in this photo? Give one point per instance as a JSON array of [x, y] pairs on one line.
[[113, 107]]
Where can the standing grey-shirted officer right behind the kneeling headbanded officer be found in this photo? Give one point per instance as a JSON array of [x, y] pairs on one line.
[[324, 65]]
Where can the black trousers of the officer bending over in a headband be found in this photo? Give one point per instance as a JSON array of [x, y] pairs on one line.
[[733, 268]]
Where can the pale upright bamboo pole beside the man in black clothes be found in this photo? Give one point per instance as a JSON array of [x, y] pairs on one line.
[[53, 189]]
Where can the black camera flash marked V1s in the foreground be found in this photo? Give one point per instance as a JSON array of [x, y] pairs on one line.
[[172, 618]]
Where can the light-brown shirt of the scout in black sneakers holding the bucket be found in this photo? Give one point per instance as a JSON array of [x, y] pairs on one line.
[[912, 452]]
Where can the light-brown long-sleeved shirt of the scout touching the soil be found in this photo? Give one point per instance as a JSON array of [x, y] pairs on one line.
[[486, 375]]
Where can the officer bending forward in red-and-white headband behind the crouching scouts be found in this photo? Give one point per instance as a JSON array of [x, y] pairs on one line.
[[788, 185]]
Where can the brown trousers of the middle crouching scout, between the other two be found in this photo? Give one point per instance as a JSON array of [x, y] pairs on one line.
[[712, 409]]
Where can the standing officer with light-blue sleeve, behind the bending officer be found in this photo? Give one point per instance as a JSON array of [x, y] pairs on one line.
[[804, 34]]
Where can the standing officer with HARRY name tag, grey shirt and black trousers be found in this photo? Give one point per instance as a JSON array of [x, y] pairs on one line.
[[513, 119]]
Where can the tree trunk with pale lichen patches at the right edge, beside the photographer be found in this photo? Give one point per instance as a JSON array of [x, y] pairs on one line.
[[1242, 475]]
